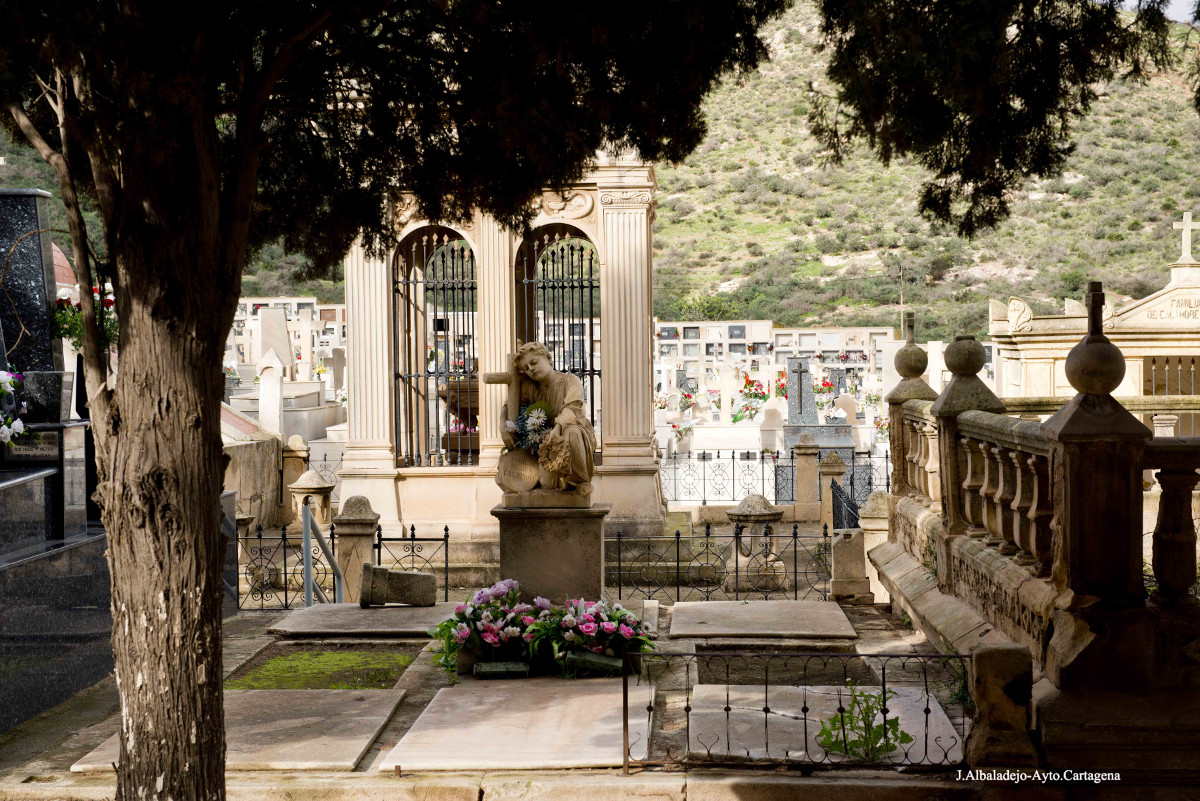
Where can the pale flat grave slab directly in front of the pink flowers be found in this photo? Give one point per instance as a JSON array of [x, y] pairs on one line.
[[527, 725]]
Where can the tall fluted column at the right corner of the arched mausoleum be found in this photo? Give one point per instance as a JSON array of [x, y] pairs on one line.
[[626, 326]]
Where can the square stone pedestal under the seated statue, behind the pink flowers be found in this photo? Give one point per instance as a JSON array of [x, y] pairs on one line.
[[556, 553]]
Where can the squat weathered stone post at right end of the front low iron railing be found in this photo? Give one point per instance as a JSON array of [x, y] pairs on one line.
[[1001, 683]]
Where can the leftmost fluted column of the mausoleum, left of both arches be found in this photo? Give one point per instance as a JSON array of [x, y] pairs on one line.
[[369, 376]]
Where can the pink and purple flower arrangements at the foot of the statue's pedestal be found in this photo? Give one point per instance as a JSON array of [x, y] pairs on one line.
[[495, 625]]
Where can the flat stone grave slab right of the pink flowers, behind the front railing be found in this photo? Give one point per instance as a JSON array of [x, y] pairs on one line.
[[782, 619]]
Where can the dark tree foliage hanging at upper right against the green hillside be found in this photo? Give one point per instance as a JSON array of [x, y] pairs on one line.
[[982, 94]]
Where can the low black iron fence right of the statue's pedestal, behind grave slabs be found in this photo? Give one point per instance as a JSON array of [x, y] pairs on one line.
[[733, 565]]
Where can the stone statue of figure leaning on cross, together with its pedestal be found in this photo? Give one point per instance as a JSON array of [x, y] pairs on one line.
[[551, 533]]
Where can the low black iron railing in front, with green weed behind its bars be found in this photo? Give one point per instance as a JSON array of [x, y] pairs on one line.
[[806, 710]]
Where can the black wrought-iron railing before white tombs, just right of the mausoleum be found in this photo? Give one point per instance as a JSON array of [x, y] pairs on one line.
[[704, 478]]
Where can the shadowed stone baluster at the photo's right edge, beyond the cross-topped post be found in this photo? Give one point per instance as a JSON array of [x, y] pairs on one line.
[[1175, 535]]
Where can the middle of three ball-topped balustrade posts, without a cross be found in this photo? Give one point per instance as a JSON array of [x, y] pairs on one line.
[[965, 393]]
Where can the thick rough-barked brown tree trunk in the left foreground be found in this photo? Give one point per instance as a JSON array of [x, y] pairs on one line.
[[161, 478]]
